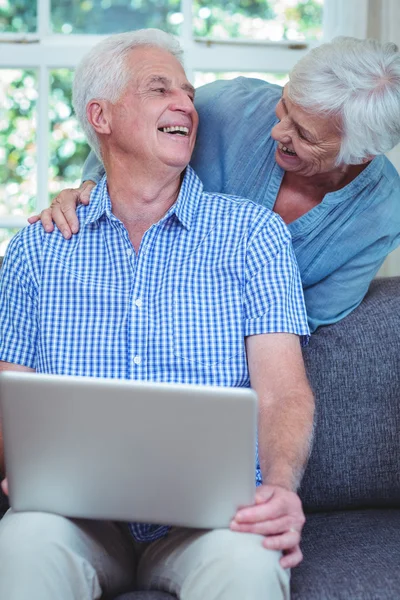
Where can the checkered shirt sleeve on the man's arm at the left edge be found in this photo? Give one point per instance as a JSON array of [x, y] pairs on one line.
[[18, 301]]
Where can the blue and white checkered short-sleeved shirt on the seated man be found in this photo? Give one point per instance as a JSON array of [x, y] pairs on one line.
[[212, 271]]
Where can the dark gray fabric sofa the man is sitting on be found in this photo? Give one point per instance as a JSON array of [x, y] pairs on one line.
[[351, 488]]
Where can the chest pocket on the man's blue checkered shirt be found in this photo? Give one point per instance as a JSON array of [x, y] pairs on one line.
[[207, 321]]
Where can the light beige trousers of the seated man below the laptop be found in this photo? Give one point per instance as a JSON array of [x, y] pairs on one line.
[[48, 557]]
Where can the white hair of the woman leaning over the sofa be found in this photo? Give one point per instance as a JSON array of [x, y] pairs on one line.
[[357, 81]]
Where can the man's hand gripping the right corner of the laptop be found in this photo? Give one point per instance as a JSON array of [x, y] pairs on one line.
[[278, 515]]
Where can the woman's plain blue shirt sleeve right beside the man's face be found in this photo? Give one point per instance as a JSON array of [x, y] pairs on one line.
[[234, 116]]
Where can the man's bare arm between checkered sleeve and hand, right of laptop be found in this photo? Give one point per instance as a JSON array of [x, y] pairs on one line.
[[286, 407]]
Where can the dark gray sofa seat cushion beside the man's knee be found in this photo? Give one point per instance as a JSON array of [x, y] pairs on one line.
[[350, 555]]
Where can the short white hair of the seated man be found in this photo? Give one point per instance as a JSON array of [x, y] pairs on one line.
[[103, 74]]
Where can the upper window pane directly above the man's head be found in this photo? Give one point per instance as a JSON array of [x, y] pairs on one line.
[[114, 16]]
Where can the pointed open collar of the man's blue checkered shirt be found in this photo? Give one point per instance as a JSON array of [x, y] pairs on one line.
[[184, 208]]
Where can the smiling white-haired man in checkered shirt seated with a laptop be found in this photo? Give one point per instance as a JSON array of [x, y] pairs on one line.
[[166, 283]]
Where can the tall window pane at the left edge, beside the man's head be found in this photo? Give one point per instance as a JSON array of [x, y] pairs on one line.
[[18, 94]]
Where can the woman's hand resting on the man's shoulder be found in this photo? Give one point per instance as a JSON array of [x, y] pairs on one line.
[[63, 210]]
